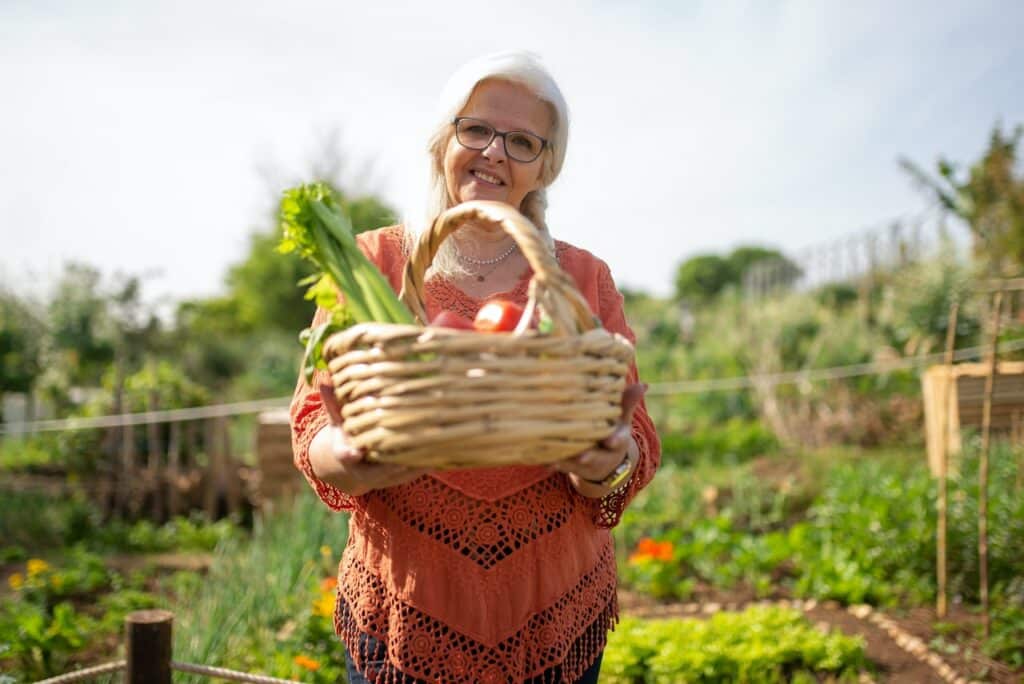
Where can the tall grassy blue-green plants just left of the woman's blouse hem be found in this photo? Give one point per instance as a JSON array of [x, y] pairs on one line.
[[263, 592]]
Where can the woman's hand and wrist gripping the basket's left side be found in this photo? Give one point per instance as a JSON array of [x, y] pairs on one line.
[[343, 466]]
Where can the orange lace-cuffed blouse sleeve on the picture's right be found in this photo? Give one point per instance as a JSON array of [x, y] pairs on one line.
[[609, 510]]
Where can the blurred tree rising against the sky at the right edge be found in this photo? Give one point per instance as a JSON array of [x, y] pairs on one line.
[[990, 199]]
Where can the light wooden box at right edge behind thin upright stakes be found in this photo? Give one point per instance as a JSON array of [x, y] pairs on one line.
[[966, 400]]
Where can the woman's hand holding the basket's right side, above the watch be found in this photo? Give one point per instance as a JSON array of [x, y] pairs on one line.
[[599, 463]]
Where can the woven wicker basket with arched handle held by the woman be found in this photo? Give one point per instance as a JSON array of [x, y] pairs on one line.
[[449, 399]]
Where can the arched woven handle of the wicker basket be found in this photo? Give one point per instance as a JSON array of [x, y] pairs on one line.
[[550, 289]]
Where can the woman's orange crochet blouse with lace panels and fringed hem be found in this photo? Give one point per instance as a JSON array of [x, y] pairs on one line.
[[480, 576]]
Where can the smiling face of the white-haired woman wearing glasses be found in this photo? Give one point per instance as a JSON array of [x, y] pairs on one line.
[[489, 174]]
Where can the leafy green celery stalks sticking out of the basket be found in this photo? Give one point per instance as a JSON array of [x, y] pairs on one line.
[[314, 224]]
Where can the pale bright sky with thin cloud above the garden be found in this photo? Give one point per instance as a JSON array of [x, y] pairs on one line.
[[153, 138]]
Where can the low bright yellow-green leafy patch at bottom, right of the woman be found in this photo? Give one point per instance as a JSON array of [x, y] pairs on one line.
[[758, 646]]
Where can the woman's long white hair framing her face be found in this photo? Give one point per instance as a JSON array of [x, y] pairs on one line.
[[517, 67]]
